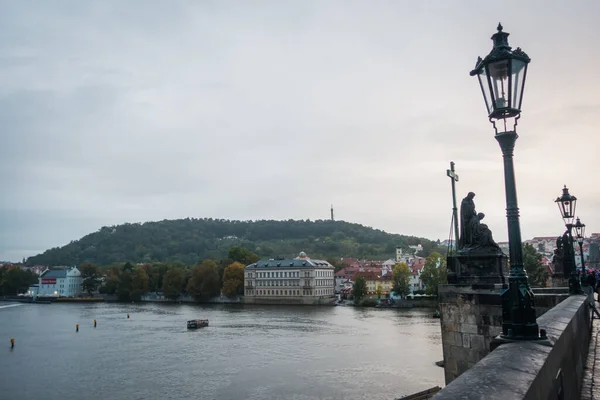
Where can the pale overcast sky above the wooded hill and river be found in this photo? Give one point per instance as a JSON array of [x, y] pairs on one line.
[[131, 111]]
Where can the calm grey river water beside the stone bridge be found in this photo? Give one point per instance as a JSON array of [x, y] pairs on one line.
[[248, 352]]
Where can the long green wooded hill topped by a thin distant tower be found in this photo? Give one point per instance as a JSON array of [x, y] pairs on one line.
[[191, 240]]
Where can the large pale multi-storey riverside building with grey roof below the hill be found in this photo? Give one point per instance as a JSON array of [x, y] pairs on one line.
[[298, 280]]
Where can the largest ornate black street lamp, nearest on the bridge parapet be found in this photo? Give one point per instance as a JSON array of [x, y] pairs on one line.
[[502, 79]]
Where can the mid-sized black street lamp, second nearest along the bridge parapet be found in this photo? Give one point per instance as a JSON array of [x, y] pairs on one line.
[[567, 204]]
